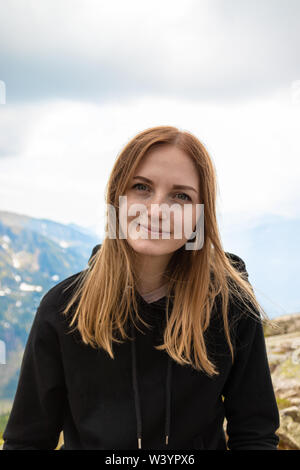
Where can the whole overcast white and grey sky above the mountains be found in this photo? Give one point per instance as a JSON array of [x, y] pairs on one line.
[[82, 77]]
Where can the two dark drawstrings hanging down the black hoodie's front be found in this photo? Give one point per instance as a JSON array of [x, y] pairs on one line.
[[137, 397]]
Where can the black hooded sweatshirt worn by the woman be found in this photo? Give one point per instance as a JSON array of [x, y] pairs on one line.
[[142, 398]]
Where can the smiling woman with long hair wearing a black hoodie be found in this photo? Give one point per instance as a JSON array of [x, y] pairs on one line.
[[159, 339]]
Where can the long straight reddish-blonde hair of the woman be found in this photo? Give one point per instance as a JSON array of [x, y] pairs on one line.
[[106, 292]]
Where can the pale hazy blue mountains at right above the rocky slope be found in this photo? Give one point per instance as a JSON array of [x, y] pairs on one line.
[[270, 249]]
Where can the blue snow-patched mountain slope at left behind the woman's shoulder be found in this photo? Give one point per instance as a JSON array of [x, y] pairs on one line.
[[35, 254]]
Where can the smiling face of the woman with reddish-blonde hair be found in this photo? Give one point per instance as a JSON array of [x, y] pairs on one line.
[[150, 197]]
